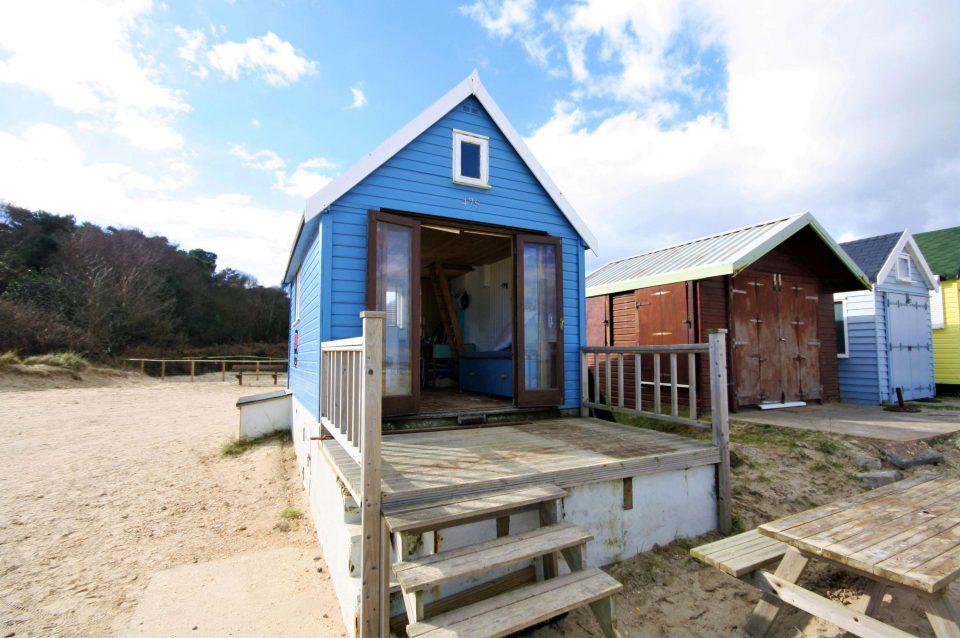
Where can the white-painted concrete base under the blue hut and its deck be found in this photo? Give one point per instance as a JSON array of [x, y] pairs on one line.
[[666, 506]]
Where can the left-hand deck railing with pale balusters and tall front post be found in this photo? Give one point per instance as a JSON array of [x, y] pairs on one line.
[[350, 411]]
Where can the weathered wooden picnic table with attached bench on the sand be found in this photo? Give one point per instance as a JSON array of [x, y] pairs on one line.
[[905, 535]]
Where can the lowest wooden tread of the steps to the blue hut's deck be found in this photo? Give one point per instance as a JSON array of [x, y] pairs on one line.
[[520, 608]]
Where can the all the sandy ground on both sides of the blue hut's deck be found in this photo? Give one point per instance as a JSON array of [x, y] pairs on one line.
[[115, 507]]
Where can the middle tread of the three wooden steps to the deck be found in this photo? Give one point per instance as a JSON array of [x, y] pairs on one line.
[[424, 573]]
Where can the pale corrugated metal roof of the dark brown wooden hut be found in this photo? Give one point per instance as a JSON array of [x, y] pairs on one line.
[[725, 253]]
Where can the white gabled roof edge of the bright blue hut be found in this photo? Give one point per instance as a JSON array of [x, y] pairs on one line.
[[470, 86]]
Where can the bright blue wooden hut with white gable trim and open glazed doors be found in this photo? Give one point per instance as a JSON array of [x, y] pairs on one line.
[[453, 228]]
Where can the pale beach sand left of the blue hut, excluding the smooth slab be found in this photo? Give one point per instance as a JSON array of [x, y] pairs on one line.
[[101, 488]]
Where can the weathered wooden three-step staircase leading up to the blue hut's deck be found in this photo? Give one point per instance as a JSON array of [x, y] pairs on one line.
[[510, 603]]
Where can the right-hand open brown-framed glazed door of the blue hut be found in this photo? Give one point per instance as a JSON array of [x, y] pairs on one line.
[[538, 347]]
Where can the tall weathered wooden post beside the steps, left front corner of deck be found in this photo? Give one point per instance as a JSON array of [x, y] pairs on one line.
[[372, 599]]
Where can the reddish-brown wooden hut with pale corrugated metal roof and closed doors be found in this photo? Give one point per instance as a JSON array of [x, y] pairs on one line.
[[770, 285]]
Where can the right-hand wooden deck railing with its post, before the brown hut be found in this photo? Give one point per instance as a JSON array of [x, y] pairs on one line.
[[630, 380]]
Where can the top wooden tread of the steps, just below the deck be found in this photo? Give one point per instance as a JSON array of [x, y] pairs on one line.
[[439, 515]]
